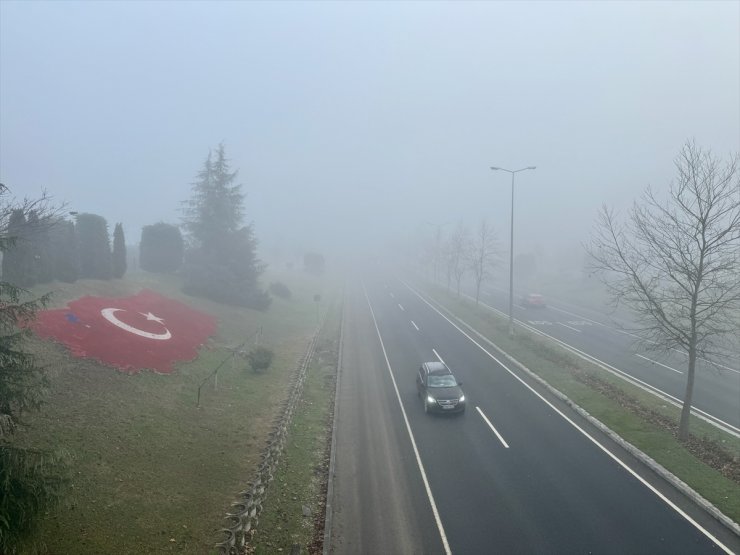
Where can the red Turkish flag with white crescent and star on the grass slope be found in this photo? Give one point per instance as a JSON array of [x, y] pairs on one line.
[[146, 330]]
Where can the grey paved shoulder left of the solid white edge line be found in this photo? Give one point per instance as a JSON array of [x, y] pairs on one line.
[[379, 502]]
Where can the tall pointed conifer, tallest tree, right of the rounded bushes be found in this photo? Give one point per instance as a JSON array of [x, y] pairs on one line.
[[221, 263]]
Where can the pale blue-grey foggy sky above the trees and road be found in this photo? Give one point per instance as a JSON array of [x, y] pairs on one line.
[[351, 120]]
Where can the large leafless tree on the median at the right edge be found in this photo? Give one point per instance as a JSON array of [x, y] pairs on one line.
[[676, 263]]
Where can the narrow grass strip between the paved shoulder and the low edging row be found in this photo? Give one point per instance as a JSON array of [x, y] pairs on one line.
[[300, 480]]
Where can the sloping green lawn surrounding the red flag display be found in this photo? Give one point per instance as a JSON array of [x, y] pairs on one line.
[[151, 472]]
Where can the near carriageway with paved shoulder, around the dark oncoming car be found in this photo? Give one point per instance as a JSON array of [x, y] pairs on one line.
[[519, 472]]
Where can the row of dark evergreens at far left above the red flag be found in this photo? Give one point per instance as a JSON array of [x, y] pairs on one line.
[[58, 249]]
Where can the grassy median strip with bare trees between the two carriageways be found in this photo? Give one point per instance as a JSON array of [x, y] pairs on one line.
[[635, 415]]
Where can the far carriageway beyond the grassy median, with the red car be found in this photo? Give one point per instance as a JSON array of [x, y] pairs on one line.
[[716, 389]]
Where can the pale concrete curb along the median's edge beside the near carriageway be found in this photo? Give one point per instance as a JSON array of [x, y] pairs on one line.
[[656, 467]]
